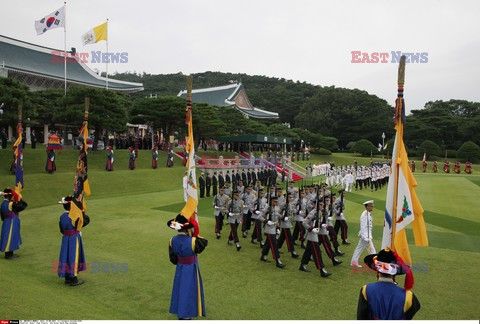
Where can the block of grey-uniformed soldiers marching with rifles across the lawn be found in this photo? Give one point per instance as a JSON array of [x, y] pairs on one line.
[[308, 211]]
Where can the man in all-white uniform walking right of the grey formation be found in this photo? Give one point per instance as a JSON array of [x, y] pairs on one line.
[[365, 234]]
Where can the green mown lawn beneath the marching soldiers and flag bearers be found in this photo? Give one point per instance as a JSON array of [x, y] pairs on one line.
[[129, 211]]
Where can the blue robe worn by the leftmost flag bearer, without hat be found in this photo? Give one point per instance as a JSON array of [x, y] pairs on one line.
[[10, 239]]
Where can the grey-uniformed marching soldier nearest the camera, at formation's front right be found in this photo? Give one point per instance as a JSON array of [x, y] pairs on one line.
[[311, 224]]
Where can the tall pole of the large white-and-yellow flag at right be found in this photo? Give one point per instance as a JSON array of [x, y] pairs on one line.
[[399, 123]]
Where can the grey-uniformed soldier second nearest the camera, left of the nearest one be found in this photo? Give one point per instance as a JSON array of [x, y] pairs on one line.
[[270, 218]]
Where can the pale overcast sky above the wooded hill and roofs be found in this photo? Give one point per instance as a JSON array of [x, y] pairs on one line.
[[301, 40]]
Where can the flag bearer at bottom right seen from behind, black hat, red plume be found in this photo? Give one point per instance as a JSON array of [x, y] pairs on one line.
[[384, 300]]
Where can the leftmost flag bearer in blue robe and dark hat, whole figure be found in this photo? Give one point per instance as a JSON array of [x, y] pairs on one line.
[[10, 239]]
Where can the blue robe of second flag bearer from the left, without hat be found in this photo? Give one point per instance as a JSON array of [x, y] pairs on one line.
[[72, 256]]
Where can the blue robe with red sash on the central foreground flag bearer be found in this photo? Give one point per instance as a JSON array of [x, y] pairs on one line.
[[187, 293]]
